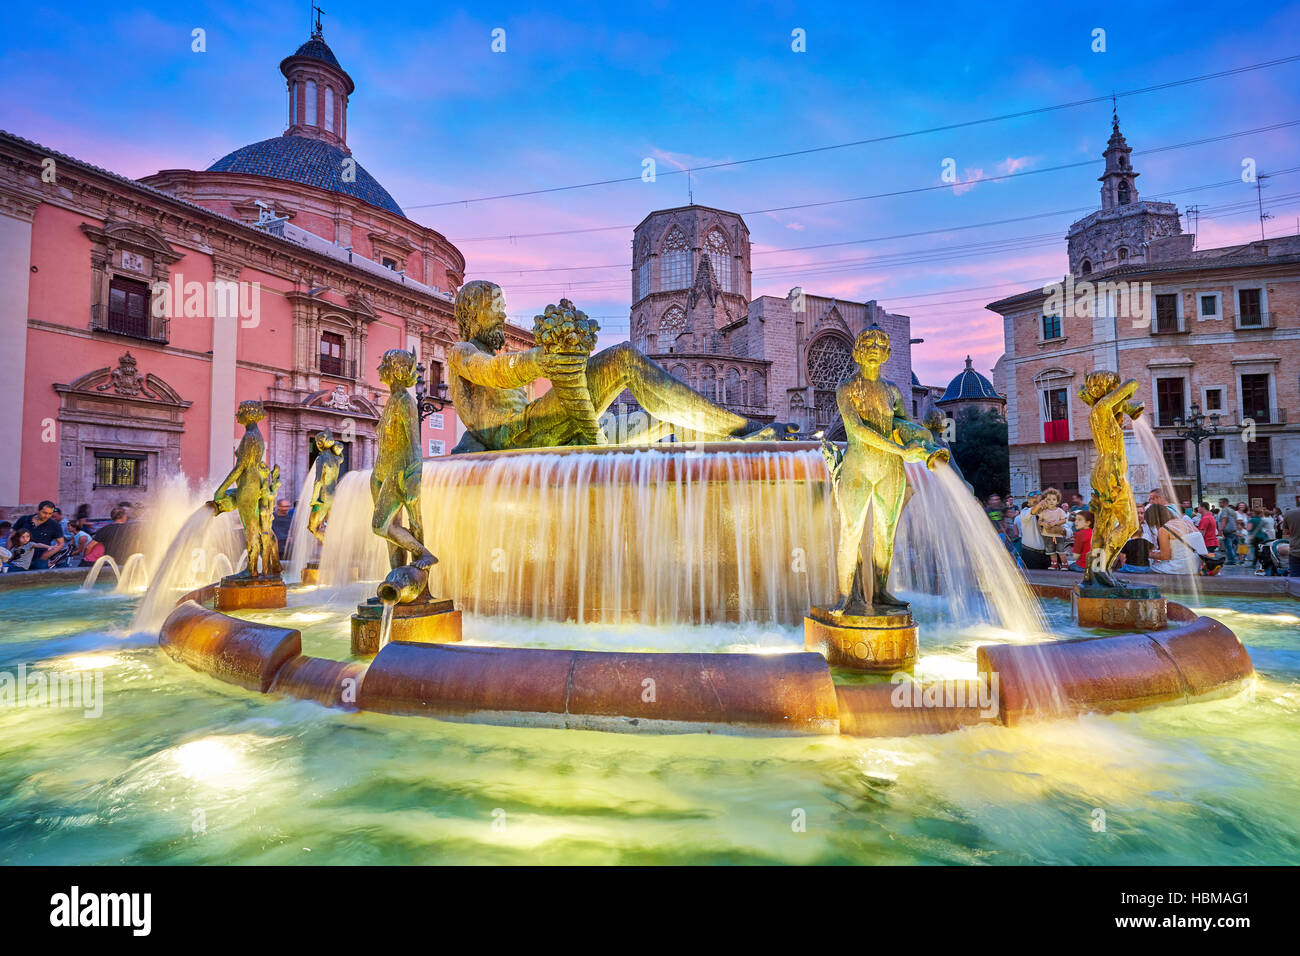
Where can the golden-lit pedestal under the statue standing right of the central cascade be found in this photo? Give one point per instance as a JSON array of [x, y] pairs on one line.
[[882, 641]]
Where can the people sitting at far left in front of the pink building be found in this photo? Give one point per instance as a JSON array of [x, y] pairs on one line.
[[46, 539]]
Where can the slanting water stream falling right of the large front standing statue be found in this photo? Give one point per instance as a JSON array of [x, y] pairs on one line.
[[947, 547]]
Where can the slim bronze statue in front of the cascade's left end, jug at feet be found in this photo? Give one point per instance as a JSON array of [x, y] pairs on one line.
[[396, 479]]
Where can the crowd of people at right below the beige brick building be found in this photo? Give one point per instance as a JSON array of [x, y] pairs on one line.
[[1050, 531]]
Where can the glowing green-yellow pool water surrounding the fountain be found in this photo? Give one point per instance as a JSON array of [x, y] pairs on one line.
[[185, 769]]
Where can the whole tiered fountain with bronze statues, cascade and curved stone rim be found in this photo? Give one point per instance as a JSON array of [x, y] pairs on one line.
[[541, 520]]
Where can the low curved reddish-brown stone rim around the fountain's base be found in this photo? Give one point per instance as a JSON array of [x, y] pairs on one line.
[[794, 694]]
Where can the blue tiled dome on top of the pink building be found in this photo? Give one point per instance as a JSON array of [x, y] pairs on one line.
[[310, 162]]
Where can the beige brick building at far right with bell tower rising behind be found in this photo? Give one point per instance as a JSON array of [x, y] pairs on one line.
[[1215, 331]]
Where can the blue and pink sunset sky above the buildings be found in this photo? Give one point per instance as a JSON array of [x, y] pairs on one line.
[[587, 92]]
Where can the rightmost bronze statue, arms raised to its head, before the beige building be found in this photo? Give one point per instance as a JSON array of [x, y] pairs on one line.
[[1113, 517]]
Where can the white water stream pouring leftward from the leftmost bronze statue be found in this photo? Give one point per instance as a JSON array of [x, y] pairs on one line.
[[189, 563]]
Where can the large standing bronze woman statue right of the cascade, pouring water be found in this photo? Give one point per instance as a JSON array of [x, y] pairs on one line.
[[870, 474]]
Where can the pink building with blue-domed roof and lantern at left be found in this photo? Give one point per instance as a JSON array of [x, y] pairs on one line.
[[136, 315]]
